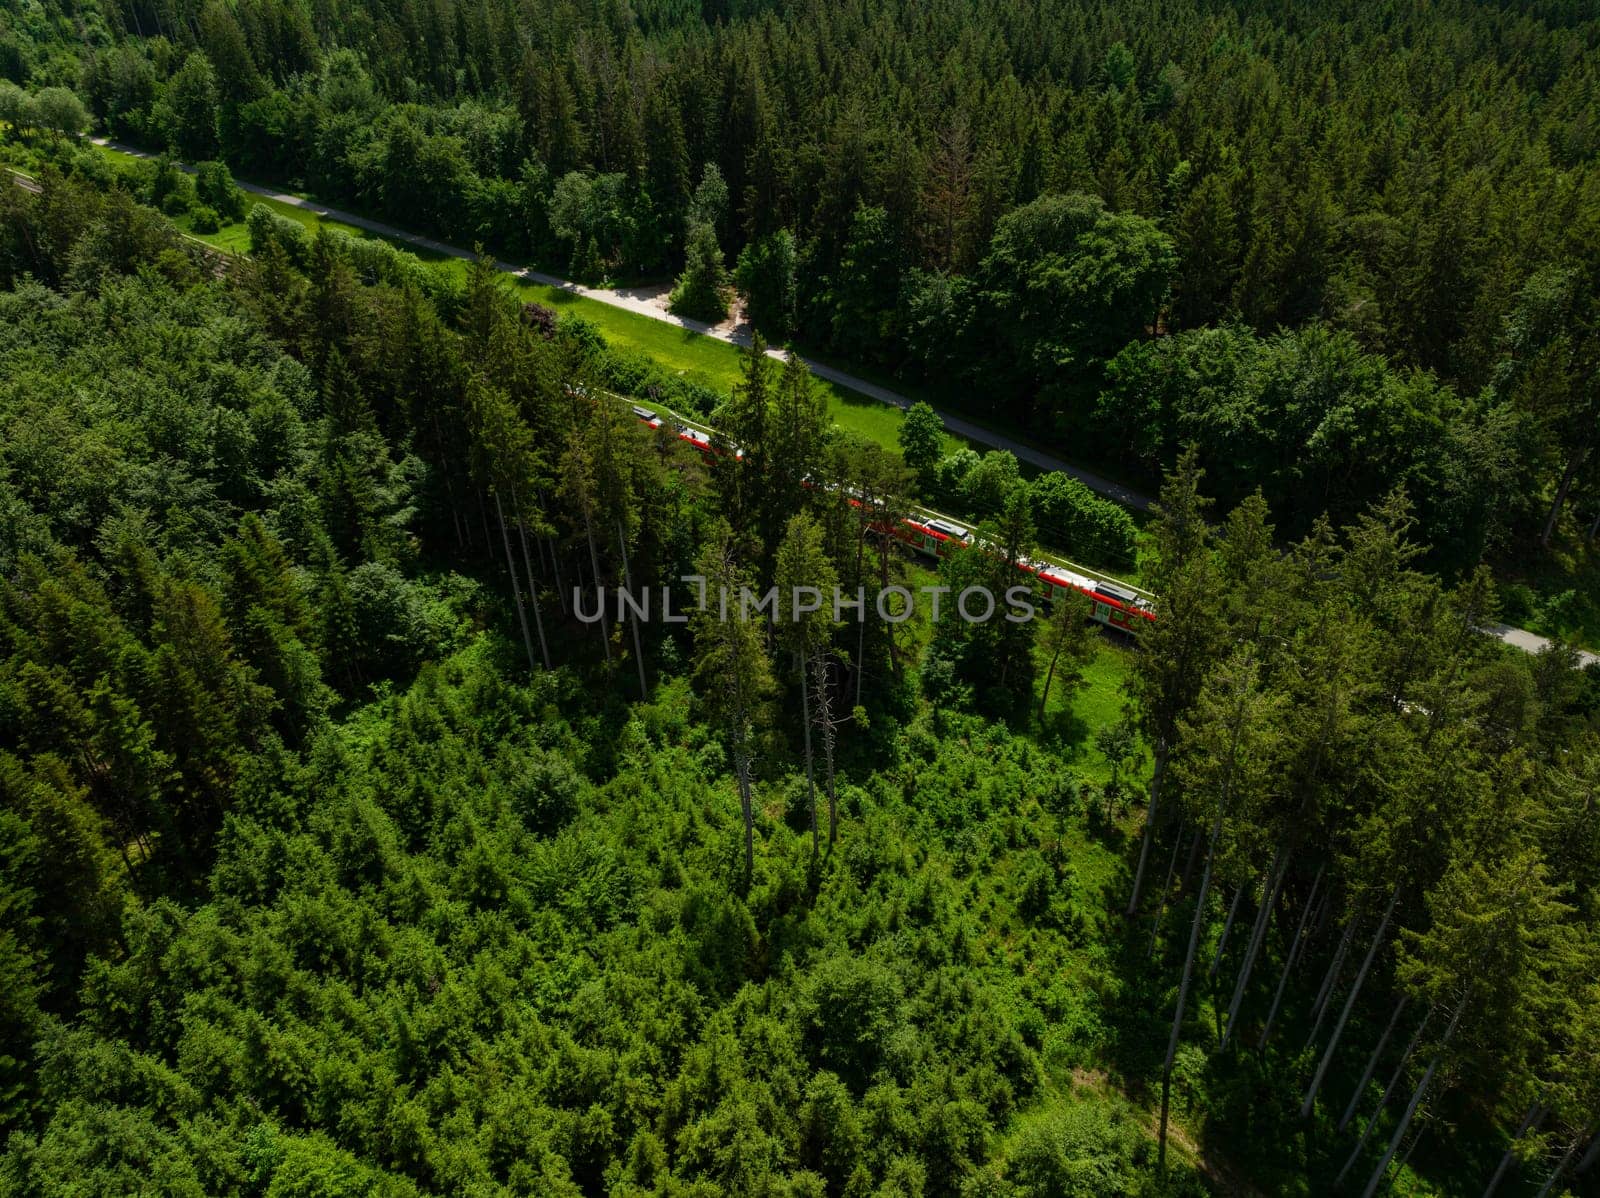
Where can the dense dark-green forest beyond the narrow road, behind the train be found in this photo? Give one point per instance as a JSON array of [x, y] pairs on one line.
[[1022, 202]]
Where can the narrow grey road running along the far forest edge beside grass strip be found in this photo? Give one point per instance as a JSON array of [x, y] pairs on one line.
[[634, 301]]
